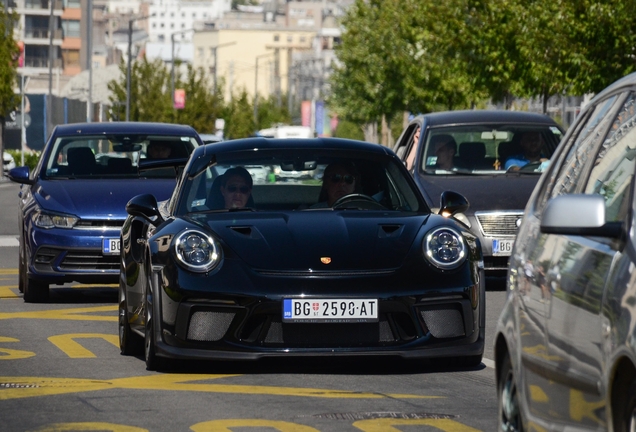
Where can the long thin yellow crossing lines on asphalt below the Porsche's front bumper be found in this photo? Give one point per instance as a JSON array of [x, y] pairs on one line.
[[27, 387]]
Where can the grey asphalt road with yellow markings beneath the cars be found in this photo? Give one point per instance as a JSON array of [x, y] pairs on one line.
[[60, 369]]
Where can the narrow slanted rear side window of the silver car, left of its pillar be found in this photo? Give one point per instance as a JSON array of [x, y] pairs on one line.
[[579, 150]]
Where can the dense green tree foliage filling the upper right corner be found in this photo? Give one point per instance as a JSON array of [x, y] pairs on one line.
[[426, 55]]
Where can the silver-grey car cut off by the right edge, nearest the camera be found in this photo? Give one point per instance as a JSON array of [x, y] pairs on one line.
[[565, 344]]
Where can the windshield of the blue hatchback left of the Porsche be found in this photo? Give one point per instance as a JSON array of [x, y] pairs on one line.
[[114, 155]]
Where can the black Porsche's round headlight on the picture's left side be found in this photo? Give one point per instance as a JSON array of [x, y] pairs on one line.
[[197, 251]]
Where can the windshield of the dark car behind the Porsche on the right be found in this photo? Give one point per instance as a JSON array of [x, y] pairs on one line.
[[489, 149]]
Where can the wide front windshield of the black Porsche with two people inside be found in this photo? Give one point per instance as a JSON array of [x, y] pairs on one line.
[[270, 180]]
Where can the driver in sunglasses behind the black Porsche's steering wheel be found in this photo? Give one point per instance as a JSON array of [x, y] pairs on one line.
[[340, 179]]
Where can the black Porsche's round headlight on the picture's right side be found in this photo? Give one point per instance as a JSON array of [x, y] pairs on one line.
[[445, 248]]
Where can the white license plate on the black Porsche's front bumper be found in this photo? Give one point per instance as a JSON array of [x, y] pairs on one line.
[[330, 310]]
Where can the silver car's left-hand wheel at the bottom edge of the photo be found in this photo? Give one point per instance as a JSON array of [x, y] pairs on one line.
[[509, 411]]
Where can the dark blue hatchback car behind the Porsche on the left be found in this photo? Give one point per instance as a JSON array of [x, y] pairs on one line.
[[73, 204]]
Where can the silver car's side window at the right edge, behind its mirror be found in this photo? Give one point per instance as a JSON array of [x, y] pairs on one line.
[[613, 169]]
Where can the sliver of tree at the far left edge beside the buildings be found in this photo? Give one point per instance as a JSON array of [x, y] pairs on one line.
[[9, 53]]
